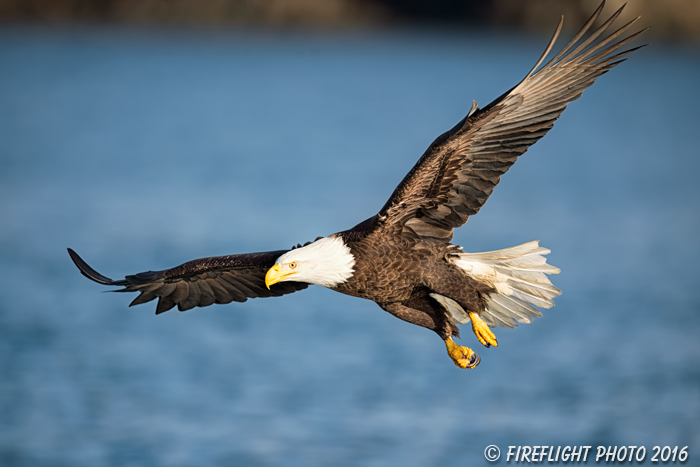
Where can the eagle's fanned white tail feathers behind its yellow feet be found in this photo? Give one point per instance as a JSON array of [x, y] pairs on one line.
[[517, 274]]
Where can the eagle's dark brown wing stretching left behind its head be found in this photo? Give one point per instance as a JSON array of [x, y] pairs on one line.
[[202, 282]]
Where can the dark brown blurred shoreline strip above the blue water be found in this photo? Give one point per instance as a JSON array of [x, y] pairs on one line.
[[673, 19]]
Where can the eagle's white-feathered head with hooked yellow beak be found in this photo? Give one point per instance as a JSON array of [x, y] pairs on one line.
[[327, 262]]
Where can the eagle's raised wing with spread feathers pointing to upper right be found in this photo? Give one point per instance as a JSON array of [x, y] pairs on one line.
[[460, 169]]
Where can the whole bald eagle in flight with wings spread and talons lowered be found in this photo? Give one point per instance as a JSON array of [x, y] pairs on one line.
[[402, 258]]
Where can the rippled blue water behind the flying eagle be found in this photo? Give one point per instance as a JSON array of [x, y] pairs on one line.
[[142, 149]]
